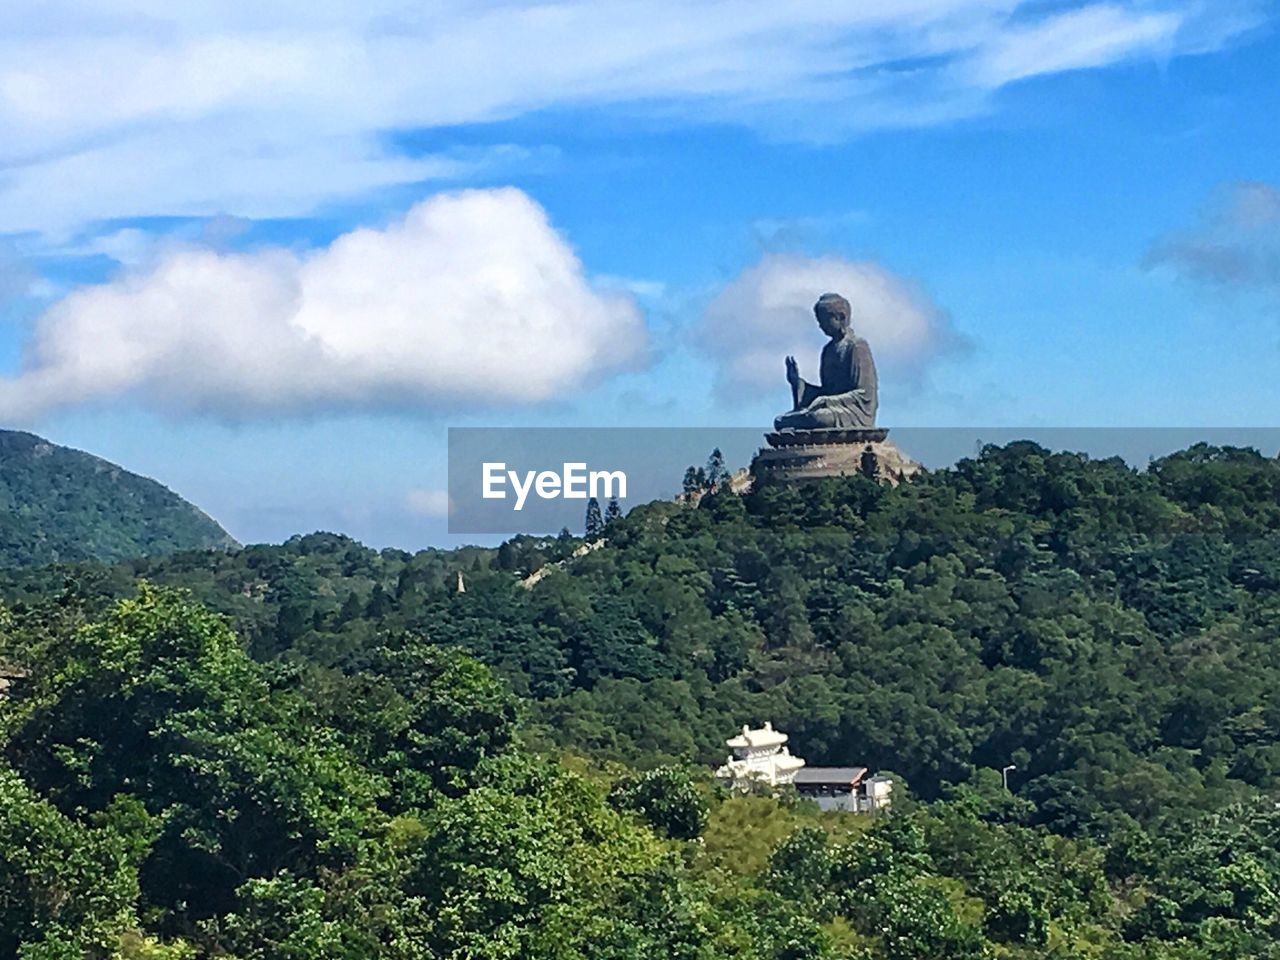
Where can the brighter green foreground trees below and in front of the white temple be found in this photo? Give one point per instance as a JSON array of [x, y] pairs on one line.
[[164, 797]]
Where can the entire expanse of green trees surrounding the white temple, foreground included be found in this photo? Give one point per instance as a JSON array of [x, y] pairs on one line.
[[326, 751]]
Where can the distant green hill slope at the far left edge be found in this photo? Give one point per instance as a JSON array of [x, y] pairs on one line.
[[61, 505]]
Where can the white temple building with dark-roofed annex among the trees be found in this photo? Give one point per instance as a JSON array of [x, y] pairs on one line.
[[761, 758]]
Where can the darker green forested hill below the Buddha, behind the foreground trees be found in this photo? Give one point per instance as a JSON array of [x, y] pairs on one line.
[[1109, 630]]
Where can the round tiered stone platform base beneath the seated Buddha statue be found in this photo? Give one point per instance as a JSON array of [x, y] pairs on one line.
[[811, 455]]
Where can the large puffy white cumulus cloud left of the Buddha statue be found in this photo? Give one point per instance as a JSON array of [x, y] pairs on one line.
[[472, 299]]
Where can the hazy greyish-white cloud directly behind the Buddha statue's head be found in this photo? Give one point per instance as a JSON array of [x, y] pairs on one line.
[[766, 314]]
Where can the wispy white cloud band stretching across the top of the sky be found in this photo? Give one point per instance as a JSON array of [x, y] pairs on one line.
[[182, 108]]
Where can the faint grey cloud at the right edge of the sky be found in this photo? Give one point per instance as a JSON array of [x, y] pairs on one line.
[[1236, 243]]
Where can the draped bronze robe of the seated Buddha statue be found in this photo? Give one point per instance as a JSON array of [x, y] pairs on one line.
[[845, 397]]
